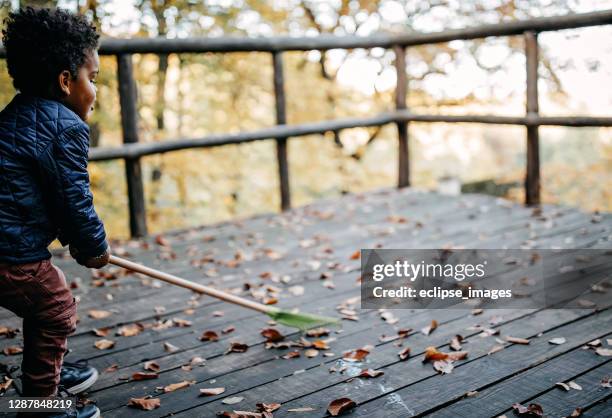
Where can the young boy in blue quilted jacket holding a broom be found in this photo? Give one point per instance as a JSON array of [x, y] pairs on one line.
[[44, 189]]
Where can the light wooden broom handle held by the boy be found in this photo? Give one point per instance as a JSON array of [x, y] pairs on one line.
[[187, 284]]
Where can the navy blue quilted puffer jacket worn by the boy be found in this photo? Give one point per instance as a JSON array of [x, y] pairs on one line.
[[44, 184]]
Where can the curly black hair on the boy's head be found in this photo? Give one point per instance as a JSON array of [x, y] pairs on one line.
[[41, 43]]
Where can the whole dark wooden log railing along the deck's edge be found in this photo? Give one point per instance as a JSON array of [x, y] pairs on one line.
[[133, 150]]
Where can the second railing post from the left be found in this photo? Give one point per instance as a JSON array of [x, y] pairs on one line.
[[281, 119]]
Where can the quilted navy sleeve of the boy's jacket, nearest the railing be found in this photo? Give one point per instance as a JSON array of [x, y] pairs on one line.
[[64, 165]]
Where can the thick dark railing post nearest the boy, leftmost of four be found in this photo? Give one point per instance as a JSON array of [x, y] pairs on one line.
[[129, 125]]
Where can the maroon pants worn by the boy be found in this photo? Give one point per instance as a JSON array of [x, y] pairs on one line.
[[38, 293]]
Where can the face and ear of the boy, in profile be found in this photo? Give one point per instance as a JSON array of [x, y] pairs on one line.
[[80, 92]]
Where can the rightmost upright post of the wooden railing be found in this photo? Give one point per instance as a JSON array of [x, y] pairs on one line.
[[532, 175]]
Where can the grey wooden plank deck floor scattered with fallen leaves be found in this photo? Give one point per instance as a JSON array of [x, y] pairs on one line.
[[304, 259]]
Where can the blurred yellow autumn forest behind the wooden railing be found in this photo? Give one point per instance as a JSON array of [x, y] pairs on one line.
[[192, 95]]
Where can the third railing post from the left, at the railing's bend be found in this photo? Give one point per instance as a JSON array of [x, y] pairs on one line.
[[403, 178]]
